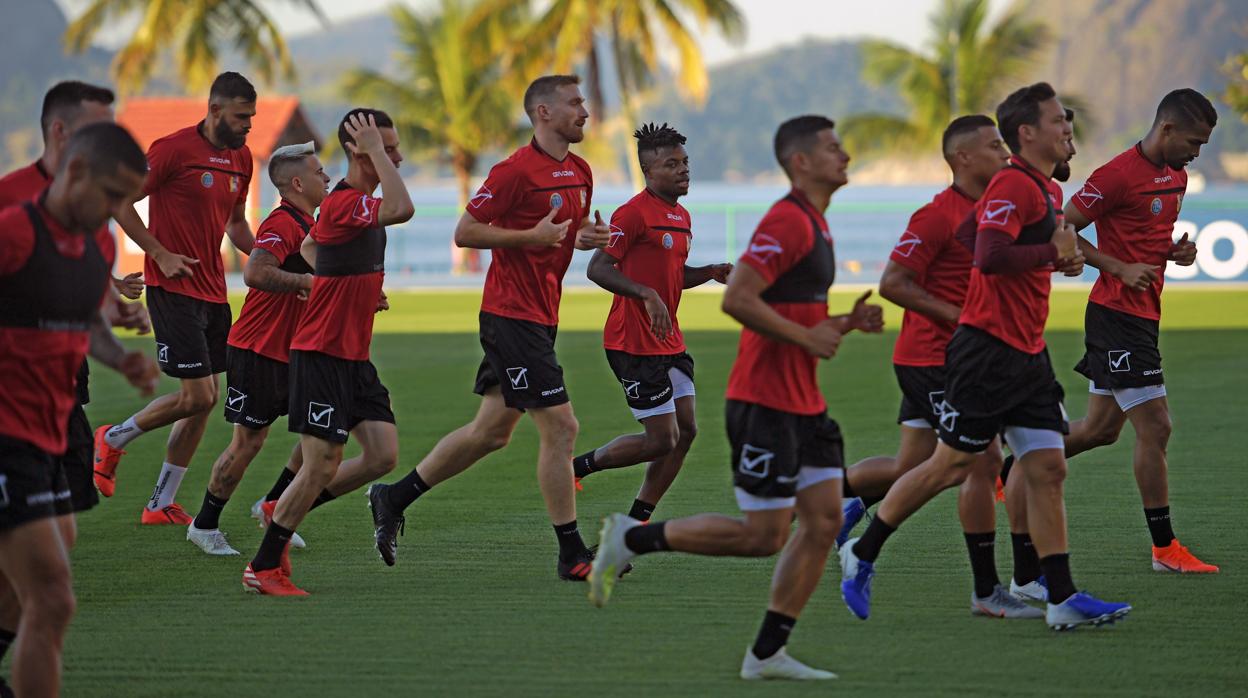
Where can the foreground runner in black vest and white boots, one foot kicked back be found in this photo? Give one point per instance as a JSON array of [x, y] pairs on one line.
[[787, 451]]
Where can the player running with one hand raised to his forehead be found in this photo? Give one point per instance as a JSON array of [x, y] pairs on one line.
[[334, 386]]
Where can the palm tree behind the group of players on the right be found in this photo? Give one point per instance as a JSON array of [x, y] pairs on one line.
[[968, 67]]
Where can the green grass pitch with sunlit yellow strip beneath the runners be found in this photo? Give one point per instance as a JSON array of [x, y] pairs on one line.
[[474, 606]]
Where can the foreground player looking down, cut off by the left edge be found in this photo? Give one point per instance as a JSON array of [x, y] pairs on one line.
[[54, 273]]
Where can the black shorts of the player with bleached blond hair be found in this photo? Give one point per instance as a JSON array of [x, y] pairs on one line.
[[258, 389]]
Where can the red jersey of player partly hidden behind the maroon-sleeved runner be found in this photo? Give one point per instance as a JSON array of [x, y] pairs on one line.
[[943, 268]]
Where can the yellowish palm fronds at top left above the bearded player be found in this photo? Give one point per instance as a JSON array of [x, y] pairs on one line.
[[195, 31]]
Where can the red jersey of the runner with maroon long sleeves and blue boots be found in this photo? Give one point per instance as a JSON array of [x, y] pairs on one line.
[[1014, 308]]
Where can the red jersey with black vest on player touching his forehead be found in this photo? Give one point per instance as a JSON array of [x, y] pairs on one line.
[[350, 272]]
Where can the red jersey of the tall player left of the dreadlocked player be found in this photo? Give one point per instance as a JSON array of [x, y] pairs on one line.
[[527, 283]]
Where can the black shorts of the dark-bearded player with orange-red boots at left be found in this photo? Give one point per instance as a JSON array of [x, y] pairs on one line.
[[190, 334]]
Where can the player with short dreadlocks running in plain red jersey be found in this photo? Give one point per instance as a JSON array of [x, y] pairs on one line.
[[645, 265]]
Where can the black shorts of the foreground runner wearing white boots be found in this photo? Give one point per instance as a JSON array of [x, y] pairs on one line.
[[771, 449]]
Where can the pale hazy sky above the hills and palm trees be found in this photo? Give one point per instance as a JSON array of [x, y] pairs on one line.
[[772, 23]]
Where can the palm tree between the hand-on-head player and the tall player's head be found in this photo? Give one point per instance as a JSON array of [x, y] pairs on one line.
[[450, 94]]
